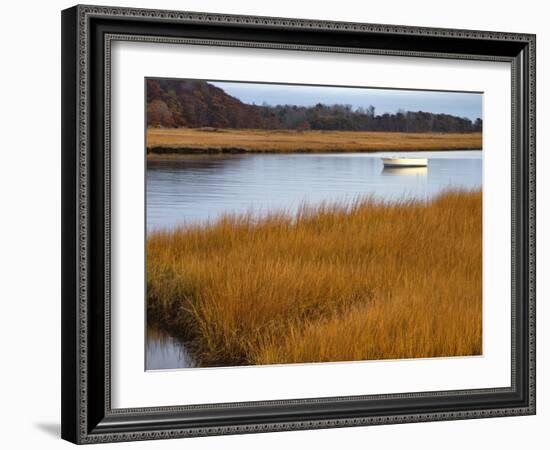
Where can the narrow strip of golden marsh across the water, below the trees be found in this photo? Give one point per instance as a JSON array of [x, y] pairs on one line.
[[193, 140]]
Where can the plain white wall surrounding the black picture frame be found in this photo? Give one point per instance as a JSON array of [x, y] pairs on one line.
[[30, 225]]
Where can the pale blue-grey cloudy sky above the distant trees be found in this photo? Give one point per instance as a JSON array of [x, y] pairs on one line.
[[462, 104]]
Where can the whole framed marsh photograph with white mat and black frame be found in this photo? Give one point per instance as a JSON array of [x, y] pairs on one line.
[[280, 224]]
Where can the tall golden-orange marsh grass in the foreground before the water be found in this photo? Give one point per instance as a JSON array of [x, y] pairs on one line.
[[366, 281]]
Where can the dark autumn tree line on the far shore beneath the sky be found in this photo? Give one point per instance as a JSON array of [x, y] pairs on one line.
[[197, 104]]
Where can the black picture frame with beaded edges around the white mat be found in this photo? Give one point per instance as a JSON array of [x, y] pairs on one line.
[[87, 416]]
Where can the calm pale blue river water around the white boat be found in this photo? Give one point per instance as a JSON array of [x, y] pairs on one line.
[[197, 189]]
